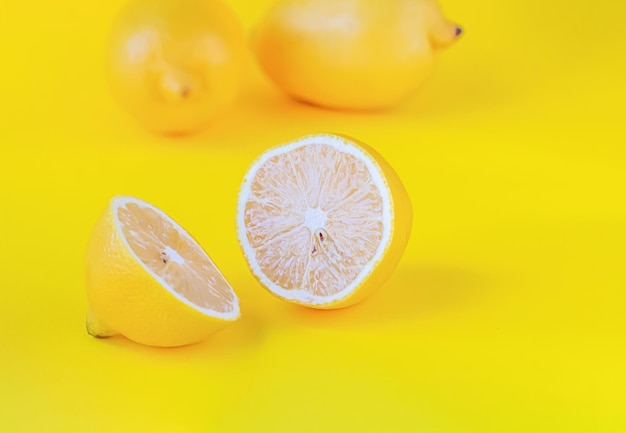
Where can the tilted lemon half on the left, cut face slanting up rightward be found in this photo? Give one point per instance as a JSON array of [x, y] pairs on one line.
[[150, 281]]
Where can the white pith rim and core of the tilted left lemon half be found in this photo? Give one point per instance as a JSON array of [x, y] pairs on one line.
[[172, 255]]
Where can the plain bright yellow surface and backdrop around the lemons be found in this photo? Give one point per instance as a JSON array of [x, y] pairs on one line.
[[506, 314]]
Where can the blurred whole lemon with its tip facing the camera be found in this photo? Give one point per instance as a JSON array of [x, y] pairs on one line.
[[175, 64]]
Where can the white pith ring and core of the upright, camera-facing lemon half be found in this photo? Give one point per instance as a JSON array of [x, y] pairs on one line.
[[315, 218]]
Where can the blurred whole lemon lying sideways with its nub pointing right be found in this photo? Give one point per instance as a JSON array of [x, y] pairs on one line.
[[351, 54]]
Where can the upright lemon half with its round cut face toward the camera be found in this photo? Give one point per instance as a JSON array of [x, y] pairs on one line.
[[323, 221]]
